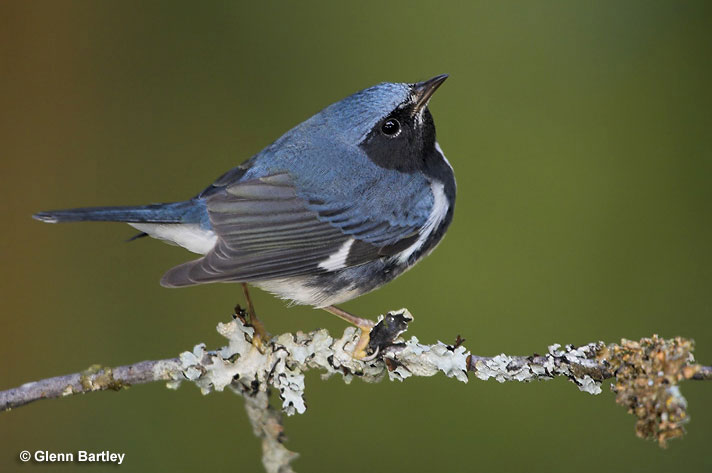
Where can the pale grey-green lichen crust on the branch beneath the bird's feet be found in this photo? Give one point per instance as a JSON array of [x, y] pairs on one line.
[[284, 359]]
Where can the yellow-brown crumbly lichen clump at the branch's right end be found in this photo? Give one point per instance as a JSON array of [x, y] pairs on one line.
[[646, 376]]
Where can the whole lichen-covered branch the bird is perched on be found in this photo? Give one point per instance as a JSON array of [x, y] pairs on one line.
[[646, 373]]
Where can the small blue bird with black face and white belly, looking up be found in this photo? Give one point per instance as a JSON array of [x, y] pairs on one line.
[[338, 206]]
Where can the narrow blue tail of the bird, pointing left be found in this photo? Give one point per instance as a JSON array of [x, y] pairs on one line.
[[177, 212]]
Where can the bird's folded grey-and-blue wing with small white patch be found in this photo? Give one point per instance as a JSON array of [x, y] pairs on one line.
[[267, 230]]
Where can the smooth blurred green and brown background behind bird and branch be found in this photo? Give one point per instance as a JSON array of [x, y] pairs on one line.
[[580, 133]]
